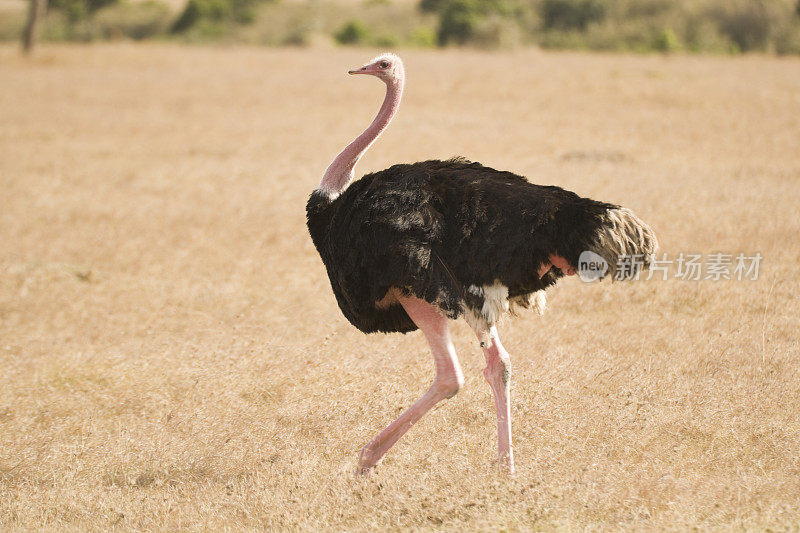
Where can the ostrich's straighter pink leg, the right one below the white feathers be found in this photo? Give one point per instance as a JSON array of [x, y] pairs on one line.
[[498, 374]]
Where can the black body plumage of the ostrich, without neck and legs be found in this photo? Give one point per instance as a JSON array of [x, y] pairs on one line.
[[435, 228]]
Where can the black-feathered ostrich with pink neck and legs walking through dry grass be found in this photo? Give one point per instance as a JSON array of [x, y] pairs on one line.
[[416, 245]]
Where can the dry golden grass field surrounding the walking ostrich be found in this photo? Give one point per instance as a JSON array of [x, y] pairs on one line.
[[172, 357]]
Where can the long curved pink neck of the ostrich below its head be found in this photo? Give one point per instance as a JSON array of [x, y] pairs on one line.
[[340, 172]]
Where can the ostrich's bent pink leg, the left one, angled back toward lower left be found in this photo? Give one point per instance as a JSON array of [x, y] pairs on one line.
[[448, 380]]
